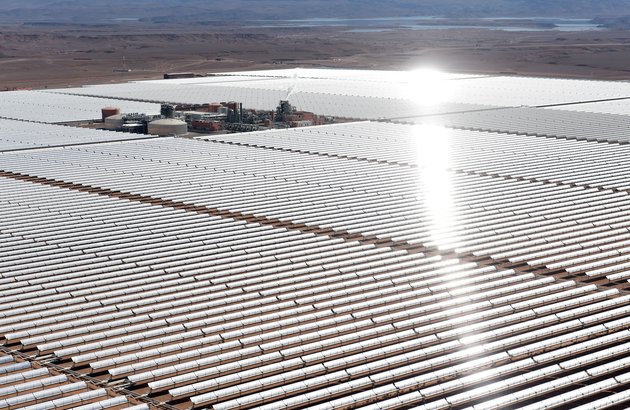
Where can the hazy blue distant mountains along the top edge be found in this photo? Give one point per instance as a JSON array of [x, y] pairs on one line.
[[199, 11]]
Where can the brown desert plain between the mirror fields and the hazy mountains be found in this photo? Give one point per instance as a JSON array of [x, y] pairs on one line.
[[41, 56]]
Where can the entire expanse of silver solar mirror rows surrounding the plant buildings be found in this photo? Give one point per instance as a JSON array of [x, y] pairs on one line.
[[469, 260]]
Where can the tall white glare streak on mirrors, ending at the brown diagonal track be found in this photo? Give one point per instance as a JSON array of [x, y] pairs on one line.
[[433, 155]]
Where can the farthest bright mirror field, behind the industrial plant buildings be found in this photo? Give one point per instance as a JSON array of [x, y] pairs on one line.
[[392, 94]]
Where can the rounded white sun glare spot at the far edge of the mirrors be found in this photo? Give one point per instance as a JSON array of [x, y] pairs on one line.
[[426, 86]]
